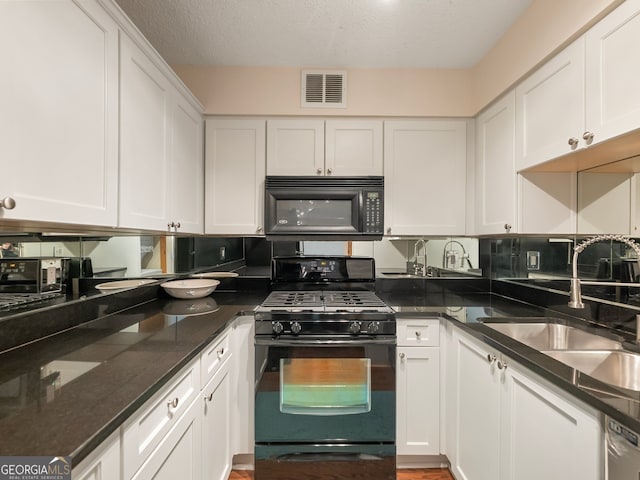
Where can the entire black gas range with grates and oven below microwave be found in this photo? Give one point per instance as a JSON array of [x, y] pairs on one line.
[[325, 349]]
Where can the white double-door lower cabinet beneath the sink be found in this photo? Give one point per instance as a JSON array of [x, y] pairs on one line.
[[512, 425]]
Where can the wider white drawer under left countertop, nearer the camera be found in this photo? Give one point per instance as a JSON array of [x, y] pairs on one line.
[[145, 429]]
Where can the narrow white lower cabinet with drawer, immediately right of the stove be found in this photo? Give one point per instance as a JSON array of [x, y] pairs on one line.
[[417, 387]]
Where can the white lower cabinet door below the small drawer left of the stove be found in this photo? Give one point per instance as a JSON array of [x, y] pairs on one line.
[[216, 425]]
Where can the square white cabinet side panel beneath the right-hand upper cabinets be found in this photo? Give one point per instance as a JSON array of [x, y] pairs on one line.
[[547, 203]]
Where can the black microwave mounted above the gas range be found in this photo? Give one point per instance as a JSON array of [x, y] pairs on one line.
[[324, 208]]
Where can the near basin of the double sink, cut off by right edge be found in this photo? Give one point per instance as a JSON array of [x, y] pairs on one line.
[[618, 368]]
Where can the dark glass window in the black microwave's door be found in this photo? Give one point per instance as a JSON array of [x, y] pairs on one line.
[[314, 213]]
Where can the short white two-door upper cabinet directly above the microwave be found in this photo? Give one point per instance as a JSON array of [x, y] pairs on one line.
[[312, 147]]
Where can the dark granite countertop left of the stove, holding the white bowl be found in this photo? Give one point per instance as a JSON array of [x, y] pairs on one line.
[[64, 395]]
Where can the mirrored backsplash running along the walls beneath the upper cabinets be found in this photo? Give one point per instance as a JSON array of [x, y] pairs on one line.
[[542, 262]]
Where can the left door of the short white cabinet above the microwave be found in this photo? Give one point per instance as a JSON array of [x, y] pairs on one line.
[[295, 147]]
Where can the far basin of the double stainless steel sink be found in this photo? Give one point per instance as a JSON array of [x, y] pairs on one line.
[[554, 336]]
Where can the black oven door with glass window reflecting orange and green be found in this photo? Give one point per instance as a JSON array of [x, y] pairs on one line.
[[325, 393]]
